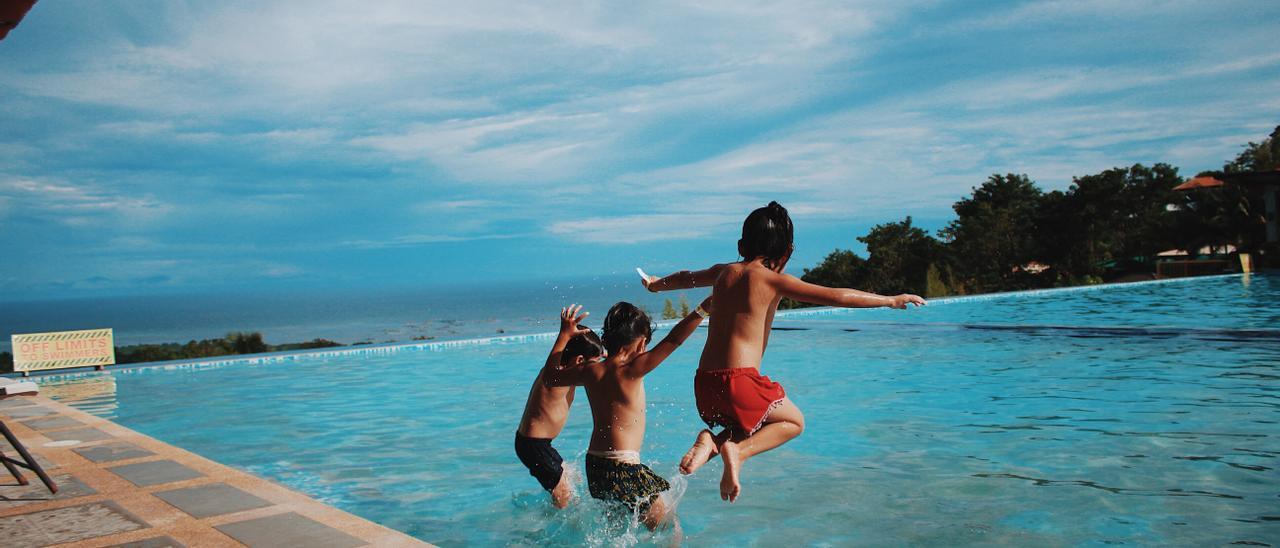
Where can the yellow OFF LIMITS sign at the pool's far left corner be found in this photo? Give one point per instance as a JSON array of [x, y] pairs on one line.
[[42, 351]]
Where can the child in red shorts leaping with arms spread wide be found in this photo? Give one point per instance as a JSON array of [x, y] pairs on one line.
[[732, 394]]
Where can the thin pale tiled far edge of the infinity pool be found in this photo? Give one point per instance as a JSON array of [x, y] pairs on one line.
[[356, 350]]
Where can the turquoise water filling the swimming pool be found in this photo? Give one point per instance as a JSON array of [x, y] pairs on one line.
[[1139, 414]]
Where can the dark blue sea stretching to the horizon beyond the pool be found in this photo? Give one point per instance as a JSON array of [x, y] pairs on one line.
[[348, 316]]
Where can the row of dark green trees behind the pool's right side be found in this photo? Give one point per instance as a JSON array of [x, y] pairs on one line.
[[1011, 235]]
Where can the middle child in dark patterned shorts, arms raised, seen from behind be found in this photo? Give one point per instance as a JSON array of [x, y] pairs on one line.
[[615, 390]]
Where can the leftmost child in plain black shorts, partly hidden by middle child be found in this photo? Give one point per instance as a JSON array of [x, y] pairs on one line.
[[547, 408]]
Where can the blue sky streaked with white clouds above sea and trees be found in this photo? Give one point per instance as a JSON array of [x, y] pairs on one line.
[[213, 147]]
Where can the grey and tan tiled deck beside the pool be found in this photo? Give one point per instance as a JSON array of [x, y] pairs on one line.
[[121, 488]]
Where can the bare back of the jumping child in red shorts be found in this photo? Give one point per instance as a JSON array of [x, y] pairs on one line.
[[746, 298]]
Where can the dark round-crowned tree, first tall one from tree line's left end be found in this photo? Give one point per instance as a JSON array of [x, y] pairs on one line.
[[994, 235]]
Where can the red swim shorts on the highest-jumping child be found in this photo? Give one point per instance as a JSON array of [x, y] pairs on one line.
[[739, 399]]
